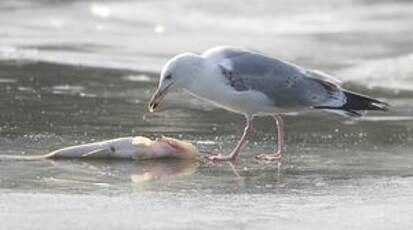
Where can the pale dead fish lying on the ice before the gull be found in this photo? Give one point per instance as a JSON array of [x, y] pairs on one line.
[[136, 148]]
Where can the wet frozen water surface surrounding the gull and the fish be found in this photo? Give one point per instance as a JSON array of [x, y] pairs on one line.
[[82, 71]]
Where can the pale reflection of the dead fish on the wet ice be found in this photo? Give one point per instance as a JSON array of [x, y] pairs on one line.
[[111, 172]]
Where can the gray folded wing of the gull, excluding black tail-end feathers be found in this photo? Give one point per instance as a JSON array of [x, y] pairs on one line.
[[287, 85]]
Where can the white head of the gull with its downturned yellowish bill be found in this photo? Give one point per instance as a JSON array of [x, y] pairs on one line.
[[179, 72]]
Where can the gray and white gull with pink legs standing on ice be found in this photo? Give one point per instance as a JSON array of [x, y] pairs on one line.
[[255, 84]]
